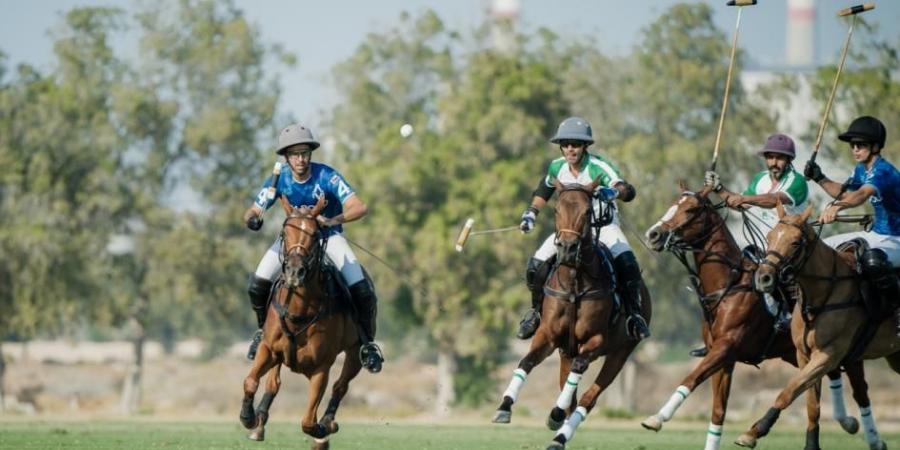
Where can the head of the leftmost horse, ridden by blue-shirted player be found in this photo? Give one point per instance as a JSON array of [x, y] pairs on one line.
[[300, 240]]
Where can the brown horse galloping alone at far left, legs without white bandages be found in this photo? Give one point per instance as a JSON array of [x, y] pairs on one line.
[[305, 330]]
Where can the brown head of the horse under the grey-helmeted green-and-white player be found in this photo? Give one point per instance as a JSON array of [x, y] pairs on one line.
[[573, 220]]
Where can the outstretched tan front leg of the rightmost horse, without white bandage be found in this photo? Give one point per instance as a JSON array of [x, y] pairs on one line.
[[811, 372]]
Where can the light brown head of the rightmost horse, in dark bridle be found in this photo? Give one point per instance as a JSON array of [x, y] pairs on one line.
[[789, 244]]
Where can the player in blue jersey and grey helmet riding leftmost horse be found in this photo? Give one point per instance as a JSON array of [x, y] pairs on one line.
[[303, 185]]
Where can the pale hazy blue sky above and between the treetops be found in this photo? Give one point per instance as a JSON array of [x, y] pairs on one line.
[[322, 33]]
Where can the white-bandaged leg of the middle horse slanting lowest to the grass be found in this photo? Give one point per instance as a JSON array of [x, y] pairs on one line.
[[612, 365]]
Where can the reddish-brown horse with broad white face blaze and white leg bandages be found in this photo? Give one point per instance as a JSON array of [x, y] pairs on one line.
[[737, 327]]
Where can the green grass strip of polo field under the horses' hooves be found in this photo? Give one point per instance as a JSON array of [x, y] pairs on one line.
[[150, 434]]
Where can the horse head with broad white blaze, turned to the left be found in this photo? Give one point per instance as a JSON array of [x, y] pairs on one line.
[[689, 221]]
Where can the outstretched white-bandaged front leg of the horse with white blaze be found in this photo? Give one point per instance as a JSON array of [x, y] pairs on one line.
[[720, 354]]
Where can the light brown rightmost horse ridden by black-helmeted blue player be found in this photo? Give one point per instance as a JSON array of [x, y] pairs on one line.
[[826, 322]]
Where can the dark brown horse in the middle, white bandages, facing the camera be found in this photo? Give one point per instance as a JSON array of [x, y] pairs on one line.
[[579, 316]]
